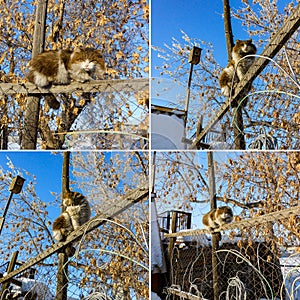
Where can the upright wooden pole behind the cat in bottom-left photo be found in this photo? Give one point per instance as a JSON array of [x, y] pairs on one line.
[[62, 269]]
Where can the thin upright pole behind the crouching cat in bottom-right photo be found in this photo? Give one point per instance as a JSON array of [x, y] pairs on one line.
[[216, 235]]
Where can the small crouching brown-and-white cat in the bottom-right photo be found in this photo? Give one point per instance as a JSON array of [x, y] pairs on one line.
[[216, 218]]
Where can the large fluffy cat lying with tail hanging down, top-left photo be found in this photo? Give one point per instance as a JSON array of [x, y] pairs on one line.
[[62, 66]]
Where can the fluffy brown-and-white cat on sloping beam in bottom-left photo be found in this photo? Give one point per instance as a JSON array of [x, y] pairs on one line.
[[77, 213]]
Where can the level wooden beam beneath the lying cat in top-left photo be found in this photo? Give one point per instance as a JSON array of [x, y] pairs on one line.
[[109, 86]]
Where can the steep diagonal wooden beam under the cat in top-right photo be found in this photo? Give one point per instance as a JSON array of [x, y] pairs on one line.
[[275, 44]]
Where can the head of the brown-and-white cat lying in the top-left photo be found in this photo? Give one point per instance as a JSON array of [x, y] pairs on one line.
[[90, 60]]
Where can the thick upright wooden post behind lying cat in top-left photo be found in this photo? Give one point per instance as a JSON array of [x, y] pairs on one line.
[[32, 110]]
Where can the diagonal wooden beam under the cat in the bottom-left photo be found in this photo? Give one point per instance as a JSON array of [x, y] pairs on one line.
[[121, 205]]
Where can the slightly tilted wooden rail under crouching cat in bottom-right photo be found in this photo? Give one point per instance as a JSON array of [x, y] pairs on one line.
[[271, 217]]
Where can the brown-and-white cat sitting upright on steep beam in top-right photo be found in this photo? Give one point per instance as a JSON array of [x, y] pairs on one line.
[[237, 67]]
